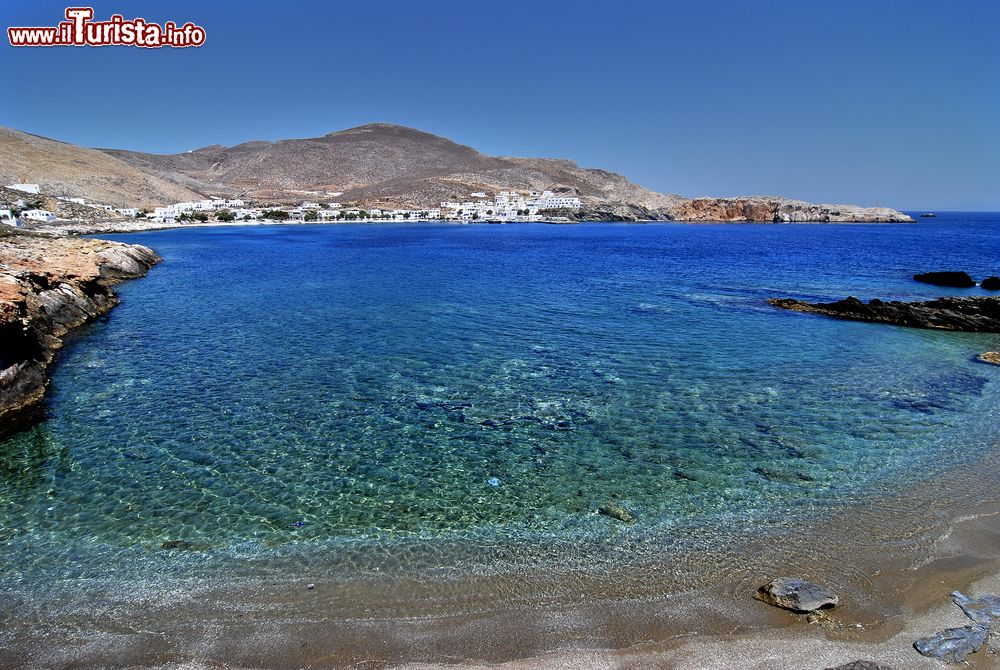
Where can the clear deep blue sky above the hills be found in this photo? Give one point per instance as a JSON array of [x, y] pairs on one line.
[[864, 101]]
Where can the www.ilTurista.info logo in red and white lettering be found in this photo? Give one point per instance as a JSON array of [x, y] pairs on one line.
[[79, 30]]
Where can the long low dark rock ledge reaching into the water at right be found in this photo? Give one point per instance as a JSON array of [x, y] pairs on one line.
[[976, 314]]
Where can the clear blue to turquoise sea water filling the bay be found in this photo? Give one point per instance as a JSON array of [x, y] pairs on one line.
[[273, 393]]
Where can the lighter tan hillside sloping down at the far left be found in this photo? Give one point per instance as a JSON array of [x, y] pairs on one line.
[[63, 169]]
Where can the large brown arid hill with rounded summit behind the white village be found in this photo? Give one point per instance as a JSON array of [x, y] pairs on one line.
[[379, 163]]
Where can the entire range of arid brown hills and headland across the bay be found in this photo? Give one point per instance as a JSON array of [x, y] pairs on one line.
[[389, 166]]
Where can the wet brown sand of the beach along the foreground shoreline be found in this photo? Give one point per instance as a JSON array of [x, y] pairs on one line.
[[893, 560]]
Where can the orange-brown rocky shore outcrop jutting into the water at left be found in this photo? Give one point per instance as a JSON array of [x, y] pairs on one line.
[[48, 286]]
